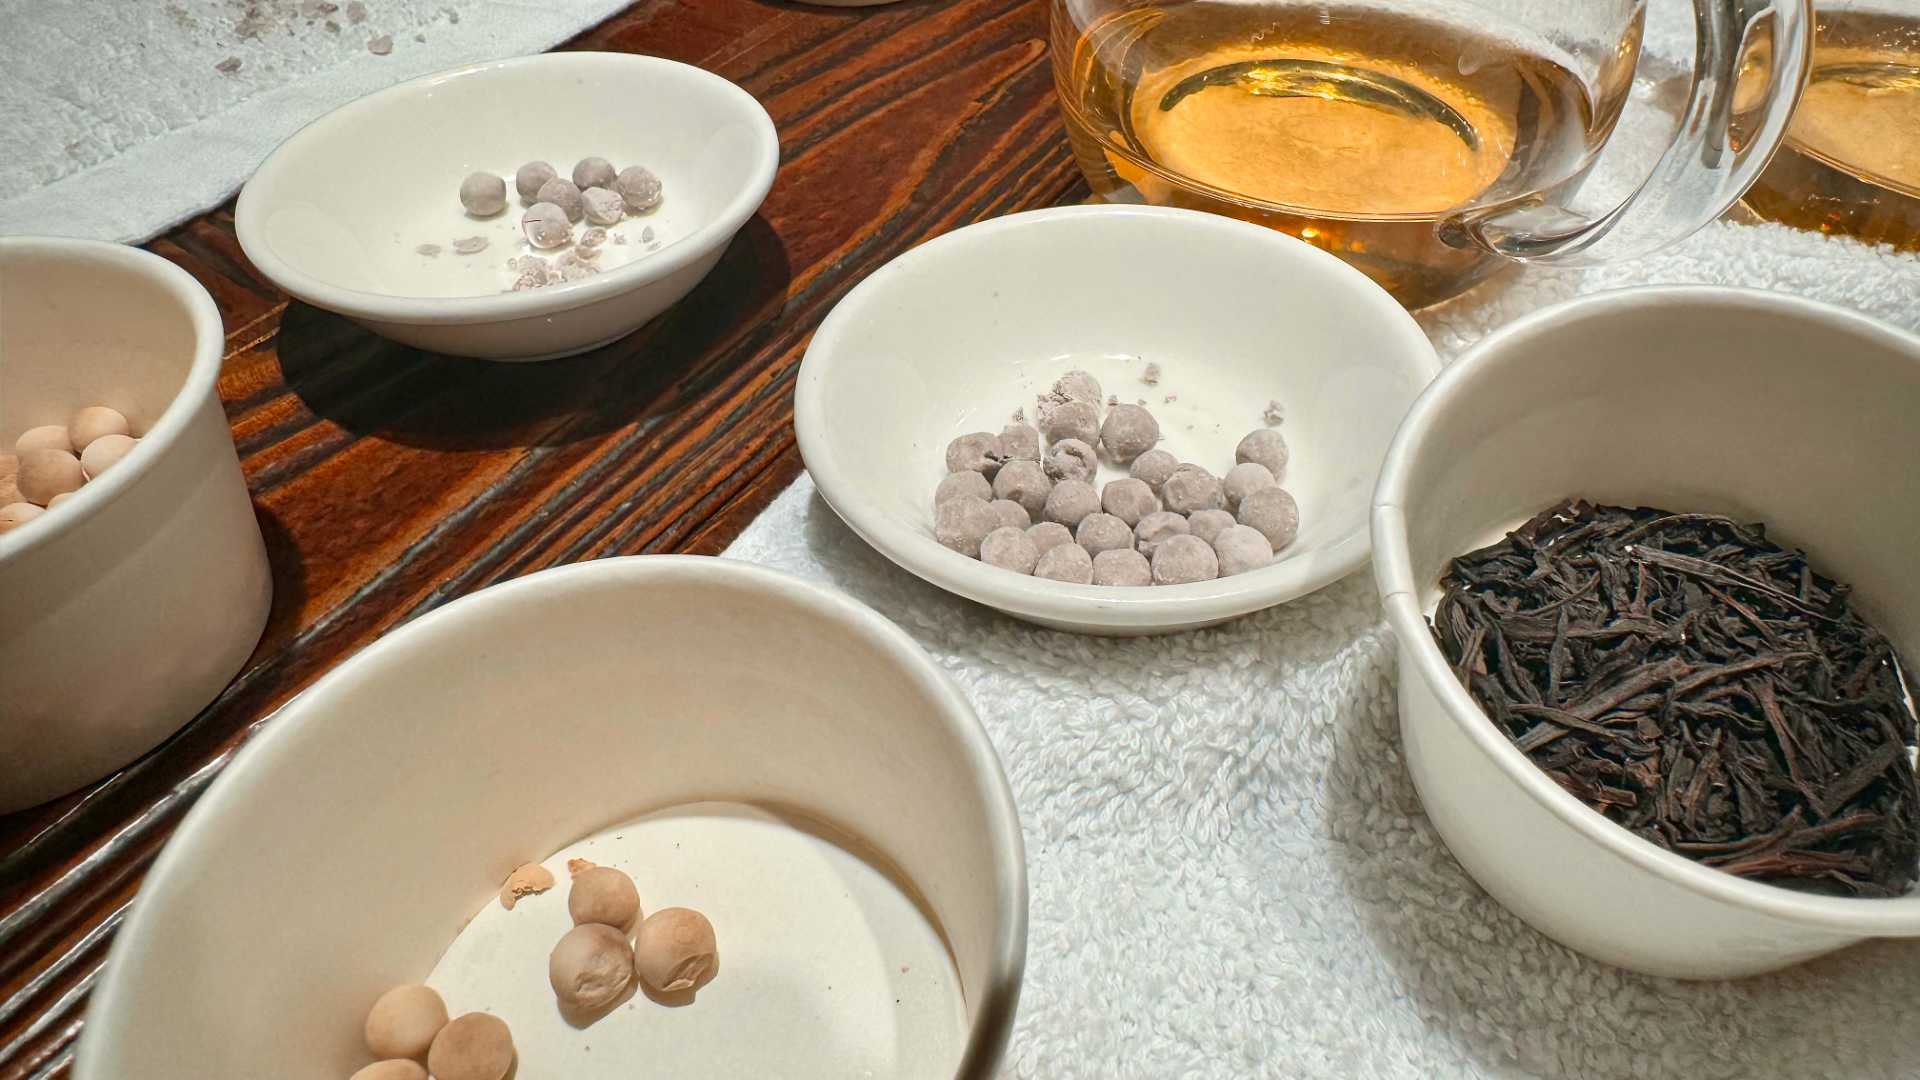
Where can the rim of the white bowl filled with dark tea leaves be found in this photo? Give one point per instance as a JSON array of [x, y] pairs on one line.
[[1422, 658]]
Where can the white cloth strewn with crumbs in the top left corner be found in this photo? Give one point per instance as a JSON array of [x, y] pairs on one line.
[[116, 120]]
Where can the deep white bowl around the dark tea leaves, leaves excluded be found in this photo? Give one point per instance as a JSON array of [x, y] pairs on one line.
[[1739, 403]]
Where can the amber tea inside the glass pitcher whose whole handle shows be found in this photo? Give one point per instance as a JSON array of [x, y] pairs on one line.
[[1353, 130]]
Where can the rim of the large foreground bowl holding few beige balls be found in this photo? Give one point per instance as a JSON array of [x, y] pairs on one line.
[[283, 739]]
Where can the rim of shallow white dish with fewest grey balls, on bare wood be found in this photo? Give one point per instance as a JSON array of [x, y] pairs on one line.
[[252, 212]]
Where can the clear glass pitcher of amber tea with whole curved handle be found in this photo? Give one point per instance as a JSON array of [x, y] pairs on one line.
[[1422, 141]]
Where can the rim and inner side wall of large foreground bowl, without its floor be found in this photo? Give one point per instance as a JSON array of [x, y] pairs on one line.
[[348, 845]]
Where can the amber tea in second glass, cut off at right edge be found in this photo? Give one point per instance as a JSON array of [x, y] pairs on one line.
[[1852, 159]]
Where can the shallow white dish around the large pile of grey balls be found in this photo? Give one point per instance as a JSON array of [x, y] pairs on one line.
[[961, 331]]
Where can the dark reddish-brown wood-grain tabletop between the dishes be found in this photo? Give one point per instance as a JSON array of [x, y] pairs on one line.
[[391, 481]]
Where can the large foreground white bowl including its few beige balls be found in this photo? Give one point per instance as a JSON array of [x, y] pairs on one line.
[[865, 916]]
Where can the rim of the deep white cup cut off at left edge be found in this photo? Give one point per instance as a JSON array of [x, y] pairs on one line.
[[199, 387]]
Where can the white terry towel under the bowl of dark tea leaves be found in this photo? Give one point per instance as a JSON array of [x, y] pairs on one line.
[[1230, 868]]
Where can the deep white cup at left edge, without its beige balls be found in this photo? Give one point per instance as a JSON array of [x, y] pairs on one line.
[[132, 604]]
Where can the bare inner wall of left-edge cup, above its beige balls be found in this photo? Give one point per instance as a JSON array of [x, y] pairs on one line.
[[87, 330]]
